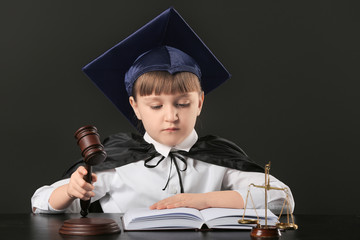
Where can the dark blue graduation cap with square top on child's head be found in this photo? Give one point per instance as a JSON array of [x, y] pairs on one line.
[[168, 37]]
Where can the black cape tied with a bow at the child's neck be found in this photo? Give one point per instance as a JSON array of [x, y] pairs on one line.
[[125, 148]]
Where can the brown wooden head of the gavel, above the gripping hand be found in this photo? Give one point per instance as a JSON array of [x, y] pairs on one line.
[[89, 142]]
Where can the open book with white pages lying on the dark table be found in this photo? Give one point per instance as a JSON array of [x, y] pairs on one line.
[[189, 218]]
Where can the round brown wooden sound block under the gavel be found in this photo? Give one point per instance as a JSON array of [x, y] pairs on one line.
[[89, 226]]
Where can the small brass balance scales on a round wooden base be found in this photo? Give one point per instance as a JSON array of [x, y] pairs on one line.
[[269, 231]]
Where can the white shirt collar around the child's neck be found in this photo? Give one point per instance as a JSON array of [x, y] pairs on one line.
[[164, 150]]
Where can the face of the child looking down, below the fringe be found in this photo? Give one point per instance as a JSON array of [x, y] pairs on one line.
[[168, 119]]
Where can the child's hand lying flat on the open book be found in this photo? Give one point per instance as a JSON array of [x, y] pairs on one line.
[[191, 200]]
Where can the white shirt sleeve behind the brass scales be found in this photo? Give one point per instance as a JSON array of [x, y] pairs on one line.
[[240, 181]]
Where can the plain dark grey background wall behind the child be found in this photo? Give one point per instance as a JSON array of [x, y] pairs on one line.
[[293, 98]]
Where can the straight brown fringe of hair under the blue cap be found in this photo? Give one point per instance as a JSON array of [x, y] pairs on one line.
[[159, 82]]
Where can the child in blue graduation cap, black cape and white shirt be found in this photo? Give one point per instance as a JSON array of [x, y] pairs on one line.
[[157, 78]]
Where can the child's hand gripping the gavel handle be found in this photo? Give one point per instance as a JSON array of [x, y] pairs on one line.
[[78, 187]]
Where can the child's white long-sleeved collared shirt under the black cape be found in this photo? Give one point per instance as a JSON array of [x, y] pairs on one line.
[[134, 185]]
